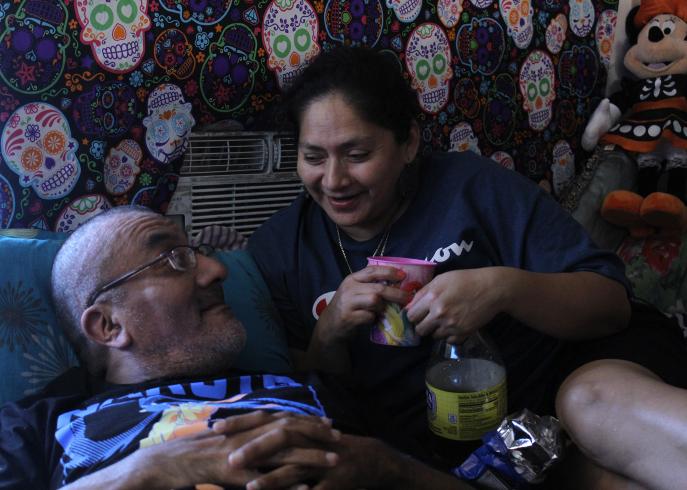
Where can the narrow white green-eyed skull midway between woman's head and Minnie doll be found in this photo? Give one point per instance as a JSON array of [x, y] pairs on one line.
[[537, 81]]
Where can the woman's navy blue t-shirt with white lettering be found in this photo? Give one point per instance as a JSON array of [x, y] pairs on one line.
[[468, 212]]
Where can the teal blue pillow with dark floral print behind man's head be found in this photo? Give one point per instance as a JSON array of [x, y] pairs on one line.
[[33, 350]]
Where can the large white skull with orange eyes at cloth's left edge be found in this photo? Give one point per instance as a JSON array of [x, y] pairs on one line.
[[38, 147]]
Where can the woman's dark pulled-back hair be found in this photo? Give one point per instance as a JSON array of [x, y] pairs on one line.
[[370, 81]]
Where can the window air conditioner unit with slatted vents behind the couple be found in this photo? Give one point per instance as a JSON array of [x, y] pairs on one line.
[[236, 179]]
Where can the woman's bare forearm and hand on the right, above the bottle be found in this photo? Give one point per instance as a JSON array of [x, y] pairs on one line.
[[574, 305]]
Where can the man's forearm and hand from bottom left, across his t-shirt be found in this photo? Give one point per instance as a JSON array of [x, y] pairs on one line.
[[289, 447]]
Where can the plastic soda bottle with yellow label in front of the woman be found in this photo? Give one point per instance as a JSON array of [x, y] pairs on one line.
[[466, 390]]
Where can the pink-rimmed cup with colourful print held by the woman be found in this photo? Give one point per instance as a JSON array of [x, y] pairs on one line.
[[394, 328]]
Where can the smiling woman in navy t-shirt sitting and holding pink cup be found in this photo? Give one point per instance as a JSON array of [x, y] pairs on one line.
[[509, 260]]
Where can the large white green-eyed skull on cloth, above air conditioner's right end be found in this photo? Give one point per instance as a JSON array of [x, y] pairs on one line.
[[289, 34]]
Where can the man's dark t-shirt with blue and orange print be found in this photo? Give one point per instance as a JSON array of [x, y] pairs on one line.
[[79, 424]]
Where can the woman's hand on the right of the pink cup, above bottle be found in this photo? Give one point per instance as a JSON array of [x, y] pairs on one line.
[[457, 303]]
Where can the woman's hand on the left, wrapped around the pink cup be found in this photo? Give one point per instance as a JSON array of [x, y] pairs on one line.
[[358, 301]]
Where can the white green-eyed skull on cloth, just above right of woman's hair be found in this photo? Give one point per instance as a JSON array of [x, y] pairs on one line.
[[428, 60]]
